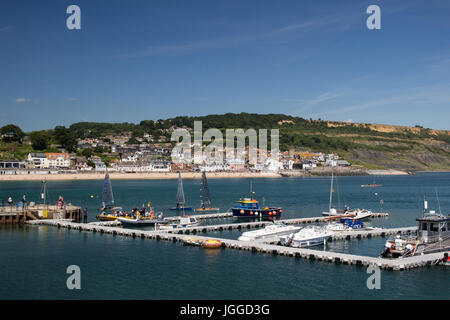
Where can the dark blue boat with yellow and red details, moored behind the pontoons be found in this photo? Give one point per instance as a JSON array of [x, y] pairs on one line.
[[249, 208]]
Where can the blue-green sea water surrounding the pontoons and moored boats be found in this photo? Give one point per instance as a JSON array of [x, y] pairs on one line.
[[33, 259]]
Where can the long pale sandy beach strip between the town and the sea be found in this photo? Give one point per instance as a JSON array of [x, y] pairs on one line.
[[195, 175]]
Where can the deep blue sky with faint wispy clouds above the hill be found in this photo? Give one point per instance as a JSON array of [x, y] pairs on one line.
[[135, 60]]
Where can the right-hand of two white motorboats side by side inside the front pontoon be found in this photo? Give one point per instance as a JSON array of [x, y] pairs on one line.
[[307, 237]]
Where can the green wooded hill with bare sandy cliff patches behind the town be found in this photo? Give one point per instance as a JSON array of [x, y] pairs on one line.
[[374, 146]]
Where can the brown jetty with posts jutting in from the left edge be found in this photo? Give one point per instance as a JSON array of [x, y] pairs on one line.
[[15, 214]]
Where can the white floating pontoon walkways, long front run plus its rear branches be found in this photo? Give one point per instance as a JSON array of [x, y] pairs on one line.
[[265, 246]]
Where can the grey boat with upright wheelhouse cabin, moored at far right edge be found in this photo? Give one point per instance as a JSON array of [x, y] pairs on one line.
[[433, 235]]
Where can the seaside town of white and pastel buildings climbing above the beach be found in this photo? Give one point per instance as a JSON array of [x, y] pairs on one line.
[[145, 156]]
